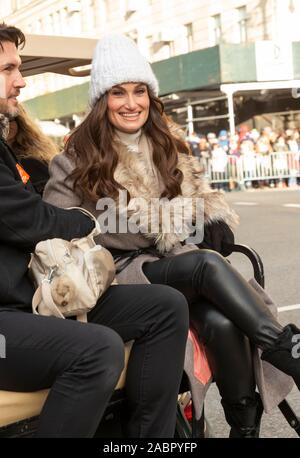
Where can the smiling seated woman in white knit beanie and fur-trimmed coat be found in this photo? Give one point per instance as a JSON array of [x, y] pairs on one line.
[[125, 143]]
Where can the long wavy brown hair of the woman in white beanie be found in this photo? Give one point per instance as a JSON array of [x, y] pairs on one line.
[[94, 150]]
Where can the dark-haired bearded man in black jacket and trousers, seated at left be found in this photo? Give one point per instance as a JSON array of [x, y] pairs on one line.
[[81, 363]]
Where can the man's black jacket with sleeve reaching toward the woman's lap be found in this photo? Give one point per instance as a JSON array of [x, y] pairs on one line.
[[25, 220]]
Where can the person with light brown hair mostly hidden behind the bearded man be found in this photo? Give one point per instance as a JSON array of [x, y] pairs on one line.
[[32, 147]]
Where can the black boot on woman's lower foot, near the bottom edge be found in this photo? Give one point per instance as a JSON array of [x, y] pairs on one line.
[[244, 417]]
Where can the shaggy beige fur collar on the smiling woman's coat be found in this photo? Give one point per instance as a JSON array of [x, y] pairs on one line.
[[137, 173]]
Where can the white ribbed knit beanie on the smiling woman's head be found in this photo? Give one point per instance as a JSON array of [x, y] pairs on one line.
[[117, 60]]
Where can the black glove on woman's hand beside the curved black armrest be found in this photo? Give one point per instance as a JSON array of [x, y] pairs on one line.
[[217, 236]]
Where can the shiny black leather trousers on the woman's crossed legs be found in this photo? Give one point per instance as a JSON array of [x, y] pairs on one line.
[[226, 312]]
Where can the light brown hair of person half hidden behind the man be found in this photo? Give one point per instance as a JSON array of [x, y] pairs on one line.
[[29, 140]]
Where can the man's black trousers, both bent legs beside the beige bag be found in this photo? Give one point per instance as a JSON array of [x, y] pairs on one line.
[[82, 362]]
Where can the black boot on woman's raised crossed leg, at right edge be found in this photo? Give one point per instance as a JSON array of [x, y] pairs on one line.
[[285, 352]]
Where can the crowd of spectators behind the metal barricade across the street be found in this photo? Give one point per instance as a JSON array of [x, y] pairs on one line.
[[253, 147]]
